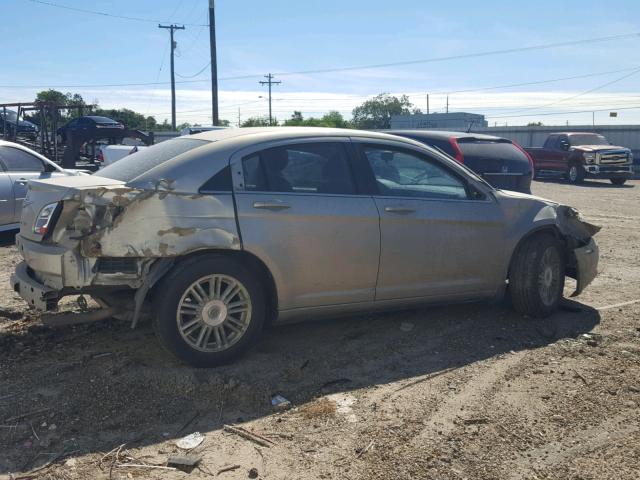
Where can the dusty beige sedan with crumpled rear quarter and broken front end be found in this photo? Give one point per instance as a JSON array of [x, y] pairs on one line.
[[216, 235]]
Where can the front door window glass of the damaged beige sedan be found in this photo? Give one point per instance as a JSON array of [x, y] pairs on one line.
[[407, 174]]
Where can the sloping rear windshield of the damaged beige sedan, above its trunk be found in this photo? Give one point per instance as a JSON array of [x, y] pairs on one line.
[[142, 161]]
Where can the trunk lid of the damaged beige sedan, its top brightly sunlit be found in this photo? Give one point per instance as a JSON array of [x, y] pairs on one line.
[[55, 190]]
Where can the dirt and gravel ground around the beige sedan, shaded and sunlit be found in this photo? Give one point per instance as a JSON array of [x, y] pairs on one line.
[[467, 391]]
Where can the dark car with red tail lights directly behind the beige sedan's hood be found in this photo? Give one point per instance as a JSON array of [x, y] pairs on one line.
[[501, 162]]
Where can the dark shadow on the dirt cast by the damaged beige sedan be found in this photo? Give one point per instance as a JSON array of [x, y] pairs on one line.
[[103, 385]]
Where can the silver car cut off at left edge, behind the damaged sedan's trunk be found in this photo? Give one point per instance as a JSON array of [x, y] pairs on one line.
[[18, 165]]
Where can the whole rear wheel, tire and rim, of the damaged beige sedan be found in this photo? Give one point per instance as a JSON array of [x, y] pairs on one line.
[[216, 337]]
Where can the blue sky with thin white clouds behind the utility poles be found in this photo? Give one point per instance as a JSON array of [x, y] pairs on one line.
[[48, 46]]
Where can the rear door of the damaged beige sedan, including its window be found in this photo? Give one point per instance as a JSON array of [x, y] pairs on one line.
[[301, 212]]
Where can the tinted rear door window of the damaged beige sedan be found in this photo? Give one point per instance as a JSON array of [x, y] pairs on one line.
[[302, 168]]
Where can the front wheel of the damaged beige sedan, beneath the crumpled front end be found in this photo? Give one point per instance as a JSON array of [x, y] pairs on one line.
[[536, 276]]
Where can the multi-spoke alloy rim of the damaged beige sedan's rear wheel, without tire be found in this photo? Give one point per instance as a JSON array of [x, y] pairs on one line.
[[213, 313]]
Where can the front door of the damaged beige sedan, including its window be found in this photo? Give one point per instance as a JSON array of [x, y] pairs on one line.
[[439, 238]]
